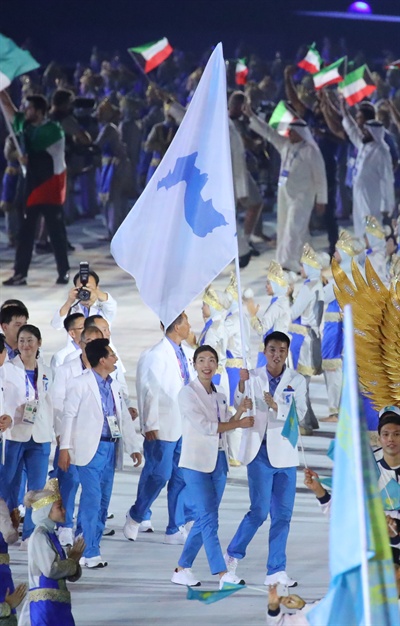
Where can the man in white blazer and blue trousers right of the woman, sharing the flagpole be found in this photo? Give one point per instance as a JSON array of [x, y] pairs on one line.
[[270, 458]]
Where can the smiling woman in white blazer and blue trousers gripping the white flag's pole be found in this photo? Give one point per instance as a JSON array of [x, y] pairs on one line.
[[204, 459]]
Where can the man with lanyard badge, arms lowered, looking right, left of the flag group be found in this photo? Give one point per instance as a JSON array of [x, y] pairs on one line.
[[95, 423]]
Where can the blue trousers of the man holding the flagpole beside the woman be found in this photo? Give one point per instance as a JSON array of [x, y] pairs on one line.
[[272, 491]]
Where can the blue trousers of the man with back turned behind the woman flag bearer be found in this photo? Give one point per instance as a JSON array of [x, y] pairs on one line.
[[161, 467]]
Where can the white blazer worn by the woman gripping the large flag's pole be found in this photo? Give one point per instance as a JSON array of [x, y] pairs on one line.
[[200, 440]]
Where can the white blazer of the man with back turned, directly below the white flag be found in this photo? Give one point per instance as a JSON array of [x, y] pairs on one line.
[[158, 383]]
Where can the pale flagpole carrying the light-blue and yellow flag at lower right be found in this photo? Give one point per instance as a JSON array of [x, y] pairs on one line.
[[360, 492]]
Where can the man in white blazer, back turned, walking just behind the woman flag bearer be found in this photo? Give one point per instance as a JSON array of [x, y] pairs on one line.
[[161, 373]]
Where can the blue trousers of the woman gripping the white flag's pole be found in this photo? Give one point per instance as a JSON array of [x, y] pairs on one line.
[[205, 493]]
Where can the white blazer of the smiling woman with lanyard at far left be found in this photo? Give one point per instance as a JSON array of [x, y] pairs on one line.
[[15, 400]]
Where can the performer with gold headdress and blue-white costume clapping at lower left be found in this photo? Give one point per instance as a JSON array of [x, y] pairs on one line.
[[48, 565]]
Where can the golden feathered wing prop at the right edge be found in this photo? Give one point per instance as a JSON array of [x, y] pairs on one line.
[[376, 317]]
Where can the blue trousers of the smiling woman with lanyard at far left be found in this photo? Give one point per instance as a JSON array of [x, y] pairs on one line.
[[35, 457]]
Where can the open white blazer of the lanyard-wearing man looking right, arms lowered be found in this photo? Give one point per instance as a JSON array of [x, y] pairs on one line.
[[83, 419]]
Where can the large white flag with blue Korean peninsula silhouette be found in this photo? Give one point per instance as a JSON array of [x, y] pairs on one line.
[[181, 233]]
